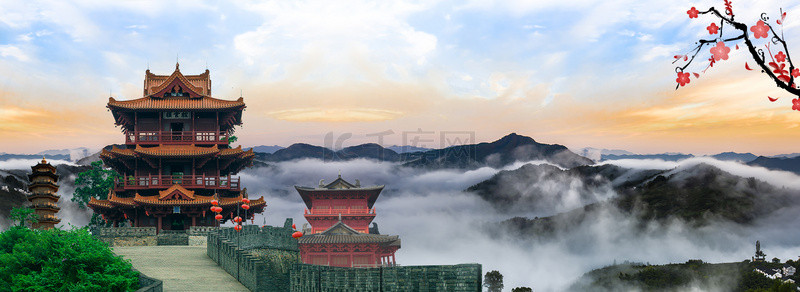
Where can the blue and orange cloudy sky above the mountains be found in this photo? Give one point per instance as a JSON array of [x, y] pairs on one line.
[[579, 72]]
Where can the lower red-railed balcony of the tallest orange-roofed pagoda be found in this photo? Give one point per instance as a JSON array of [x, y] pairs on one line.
[[186, 181]]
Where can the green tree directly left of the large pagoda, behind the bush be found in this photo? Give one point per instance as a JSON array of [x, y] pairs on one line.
[[94, 183]]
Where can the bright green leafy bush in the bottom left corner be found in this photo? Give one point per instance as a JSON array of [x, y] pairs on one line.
[[59, 260]]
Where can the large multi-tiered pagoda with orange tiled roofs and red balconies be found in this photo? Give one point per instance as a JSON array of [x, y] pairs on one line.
[[177, 156]]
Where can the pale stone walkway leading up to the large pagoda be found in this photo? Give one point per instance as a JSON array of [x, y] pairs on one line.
[[181, 268]]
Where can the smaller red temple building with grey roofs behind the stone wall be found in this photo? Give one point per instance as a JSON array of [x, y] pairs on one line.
[[339, 214]]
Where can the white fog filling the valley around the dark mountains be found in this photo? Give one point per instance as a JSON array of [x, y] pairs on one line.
[[440, 224]]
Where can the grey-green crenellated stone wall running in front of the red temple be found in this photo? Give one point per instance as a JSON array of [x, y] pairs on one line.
[[267, 259]]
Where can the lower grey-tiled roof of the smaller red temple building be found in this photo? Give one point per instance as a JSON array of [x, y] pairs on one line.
[[341, 233]]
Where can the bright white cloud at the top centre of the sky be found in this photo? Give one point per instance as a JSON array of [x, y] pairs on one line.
[[337, 35]]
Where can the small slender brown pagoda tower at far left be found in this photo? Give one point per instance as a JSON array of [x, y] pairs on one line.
[[43, 188]]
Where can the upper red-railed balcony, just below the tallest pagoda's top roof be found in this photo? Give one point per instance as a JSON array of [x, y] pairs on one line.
[[175, 137]]
